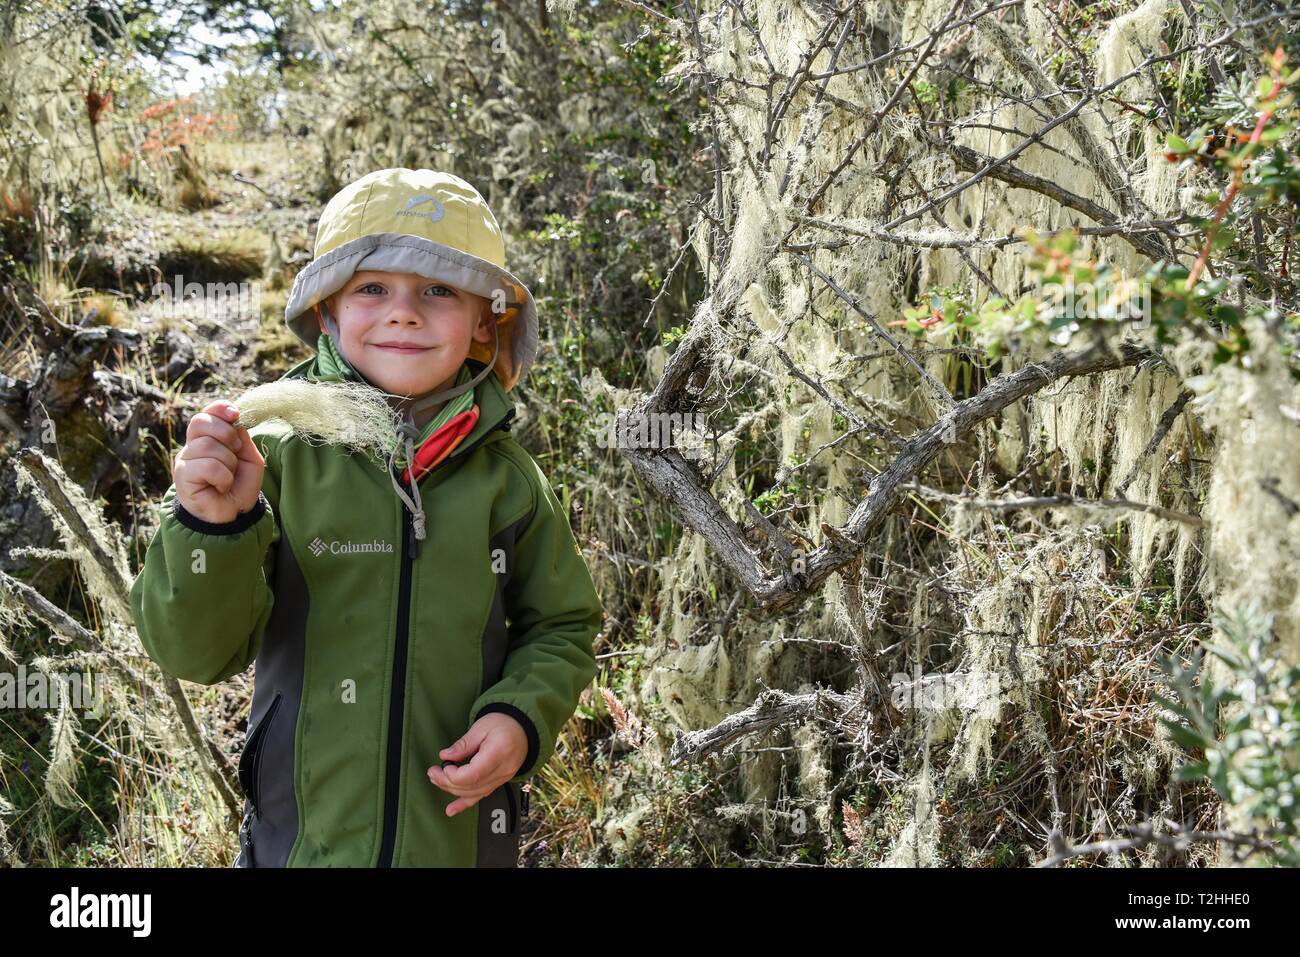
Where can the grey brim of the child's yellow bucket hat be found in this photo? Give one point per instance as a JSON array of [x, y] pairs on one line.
[[402, 253]]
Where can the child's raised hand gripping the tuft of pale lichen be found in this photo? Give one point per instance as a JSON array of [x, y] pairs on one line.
[[218, 475]]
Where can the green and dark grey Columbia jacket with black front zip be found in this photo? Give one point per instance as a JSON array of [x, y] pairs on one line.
[[375, 652]]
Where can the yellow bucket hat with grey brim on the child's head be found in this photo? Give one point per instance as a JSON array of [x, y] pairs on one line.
[[427, 223]]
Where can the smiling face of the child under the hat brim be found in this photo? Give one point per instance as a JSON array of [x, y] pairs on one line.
[[436, 322]]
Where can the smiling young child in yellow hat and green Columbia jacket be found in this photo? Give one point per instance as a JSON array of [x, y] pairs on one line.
[[422, 636]]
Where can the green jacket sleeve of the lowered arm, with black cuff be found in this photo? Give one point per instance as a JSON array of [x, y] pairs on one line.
[[554, 614]]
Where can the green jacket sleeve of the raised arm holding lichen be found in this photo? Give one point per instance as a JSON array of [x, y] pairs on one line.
[[203, 595]]
